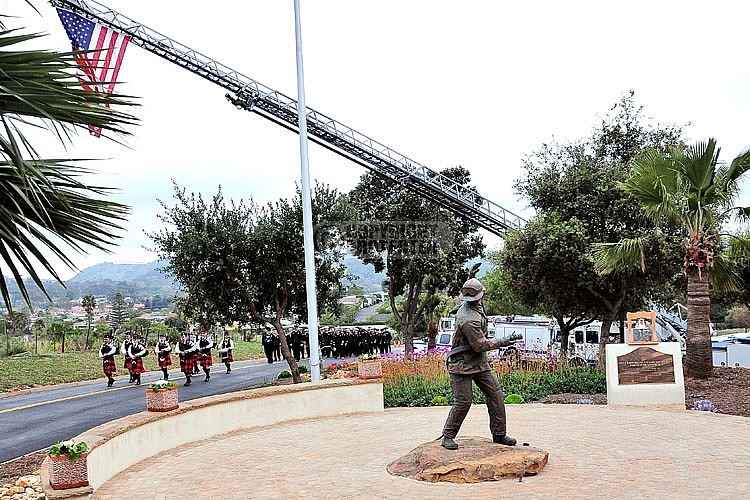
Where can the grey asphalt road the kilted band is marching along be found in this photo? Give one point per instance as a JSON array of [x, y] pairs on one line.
[[35, 419]]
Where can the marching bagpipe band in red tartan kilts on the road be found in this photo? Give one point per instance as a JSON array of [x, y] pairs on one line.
[[194, 353]]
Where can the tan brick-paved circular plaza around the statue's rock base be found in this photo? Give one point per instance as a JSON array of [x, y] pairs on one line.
[[596, 452]]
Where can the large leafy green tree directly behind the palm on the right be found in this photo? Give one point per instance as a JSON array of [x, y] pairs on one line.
[[573, 188]]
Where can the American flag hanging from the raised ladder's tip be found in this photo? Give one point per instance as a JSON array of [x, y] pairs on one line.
[[99, 67]]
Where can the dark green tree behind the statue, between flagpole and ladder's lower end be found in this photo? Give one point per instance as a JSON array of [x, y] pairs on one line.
[[423, 247]]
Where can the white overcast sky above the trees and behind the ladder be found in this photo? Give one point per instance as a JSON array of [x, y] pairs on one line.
[[479, 84]]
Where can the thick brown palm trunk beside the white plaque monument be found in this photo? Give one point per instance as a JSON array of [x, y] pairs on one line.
[[698, 356]]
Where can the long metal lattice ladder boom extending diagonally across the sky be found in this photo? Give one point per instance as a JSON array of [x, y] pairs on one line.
[[251, 95]]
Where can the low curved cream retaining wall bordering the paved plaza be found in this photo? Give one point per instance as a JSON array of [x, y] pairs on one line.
[[124, 442]]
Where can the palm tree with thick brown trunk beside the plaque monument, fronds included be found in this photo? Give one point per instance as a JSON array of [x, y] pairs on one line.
[[689, 187]]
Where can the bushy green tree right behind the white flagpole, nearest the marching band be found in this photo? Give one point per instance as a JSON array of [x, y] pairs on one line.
[[245, 264]]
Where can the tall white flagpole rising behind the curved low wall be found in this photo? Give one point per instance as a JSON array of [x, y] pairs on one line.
[[312, 304]]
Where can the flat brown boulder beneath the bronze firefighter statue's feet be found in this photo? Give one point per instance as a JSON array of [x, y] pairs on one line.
[[476, 460]]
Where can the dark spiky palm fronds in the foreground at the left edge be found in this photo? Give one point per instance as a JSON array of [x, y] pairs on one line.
[[43, 202]]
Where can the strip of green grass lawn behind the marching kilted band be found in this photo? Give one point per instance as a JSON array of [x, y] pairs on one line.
[[32, 370]]
